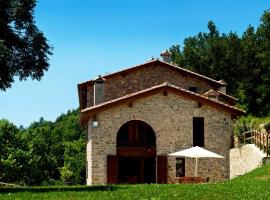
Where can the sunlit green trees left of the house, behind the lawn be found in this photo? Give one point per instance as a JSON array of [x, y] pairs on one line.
[[38, 154]]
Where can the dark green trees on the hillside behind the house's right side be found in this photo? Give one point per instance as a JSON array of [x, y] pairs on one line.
[[242, 62]]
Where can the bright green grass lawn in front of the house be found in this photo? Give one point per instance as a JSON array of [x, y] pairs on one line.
[[254, 185]]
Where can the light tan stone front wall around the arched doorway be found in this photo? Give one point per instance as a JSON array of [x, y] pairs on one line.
[[171, 119]]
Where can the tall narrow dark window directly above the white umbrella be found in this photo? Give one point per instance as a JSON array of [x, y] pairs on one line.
[[198, 131]]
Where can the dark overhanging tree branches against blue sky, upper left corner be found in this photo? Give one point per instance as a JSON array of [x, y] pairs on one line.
[[24, 50]]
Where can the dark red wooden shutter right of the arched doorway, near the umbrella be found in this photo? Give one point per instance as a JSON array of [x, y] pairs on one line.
[[162, 163]]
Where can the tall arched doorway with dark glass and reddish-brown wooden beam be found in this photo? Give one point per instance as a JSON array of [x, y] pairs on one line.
[[136, 153]]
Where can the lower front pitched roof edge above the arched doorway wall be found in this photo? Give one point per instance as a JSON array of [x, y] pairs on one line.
[[87, 112]]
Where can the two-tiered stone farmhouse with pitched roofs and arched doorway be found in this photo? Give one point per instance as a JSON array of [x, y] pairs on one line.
[[137, 116]]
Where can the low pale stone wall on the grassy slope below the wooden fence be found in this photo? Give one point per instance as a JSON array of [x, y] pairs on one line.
[[244, 159]]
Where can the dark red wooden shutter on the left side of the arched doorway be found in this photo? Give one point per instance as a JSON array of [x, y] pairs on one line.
[[112, 169]]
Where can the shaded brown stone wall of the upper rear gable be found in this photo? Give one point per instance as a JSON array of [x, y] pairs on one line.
[[143, 78]]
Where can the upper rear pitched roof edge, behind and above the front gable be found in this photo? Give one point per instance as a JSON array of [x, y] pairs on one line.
[[130, 69]]
